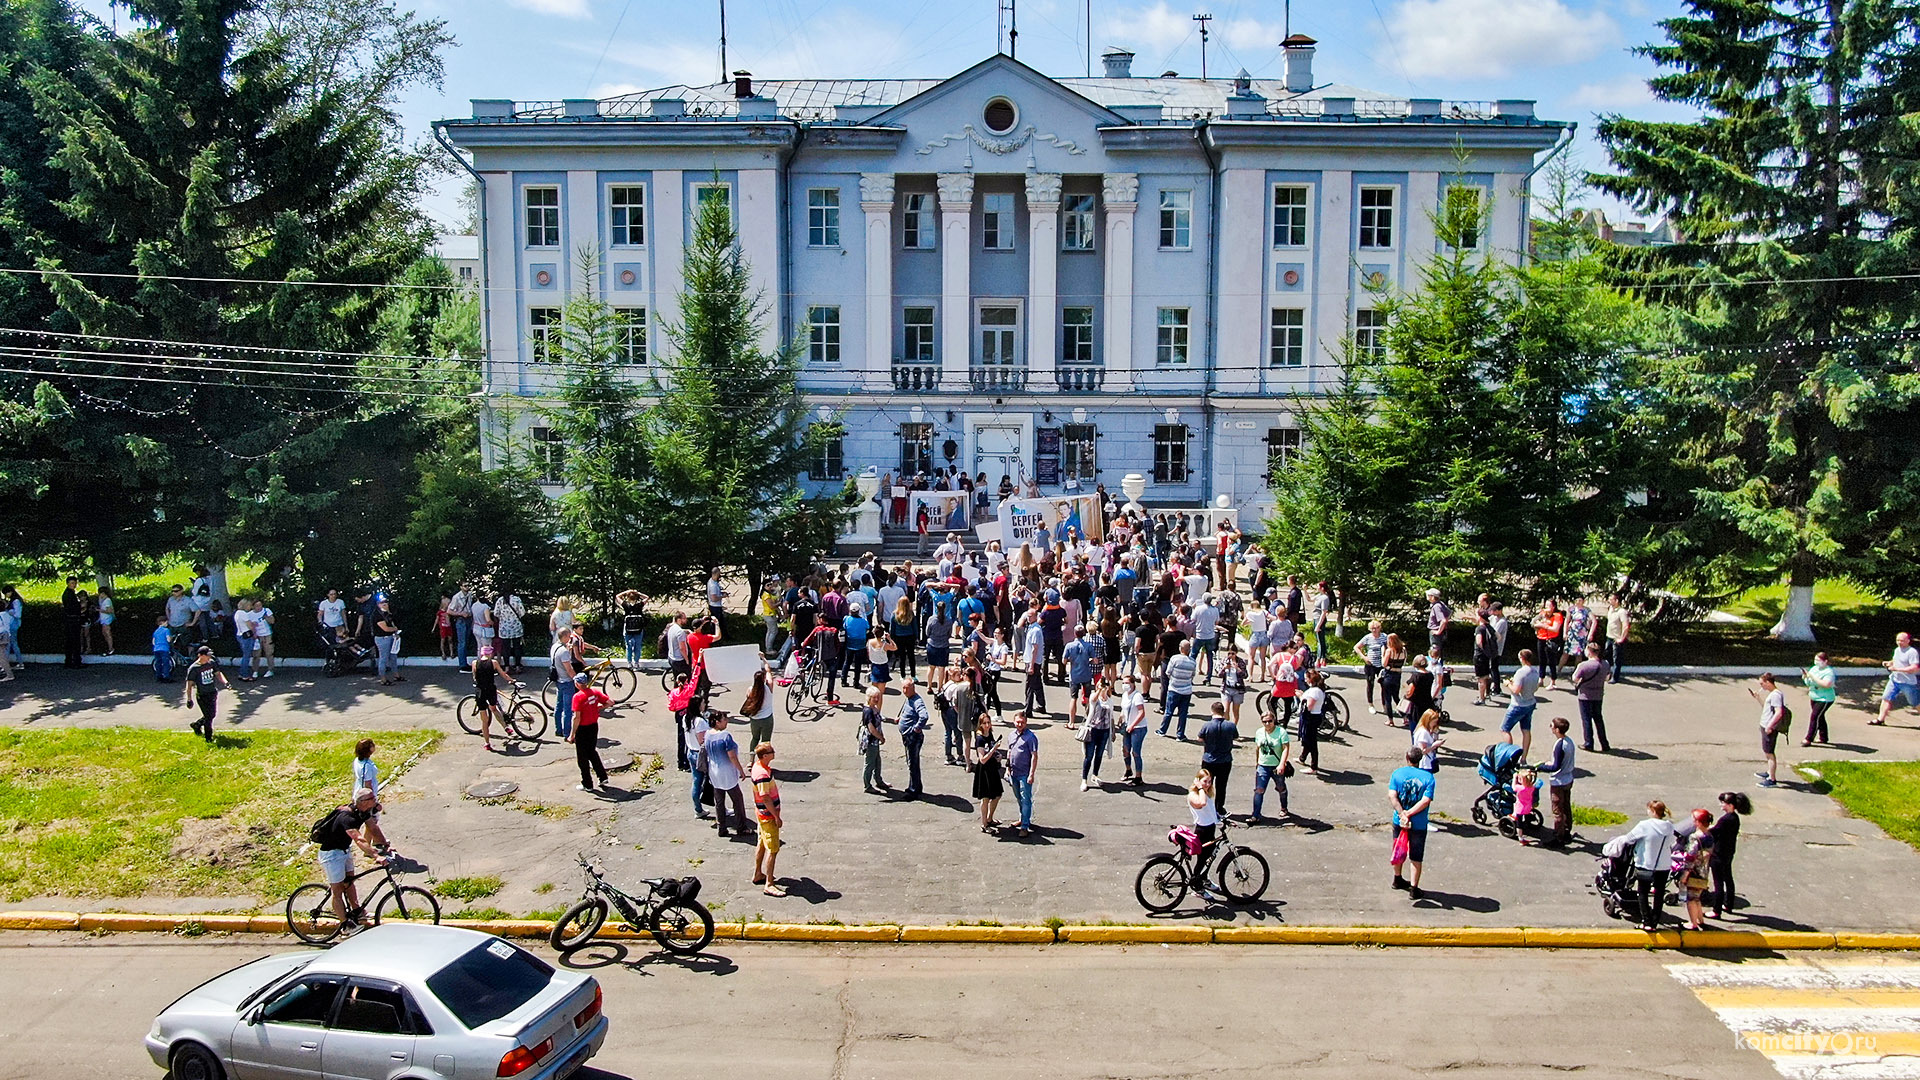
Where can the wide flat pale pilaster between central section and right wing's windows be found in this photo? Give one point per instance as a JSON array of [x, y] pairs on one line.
[[1239, 343]]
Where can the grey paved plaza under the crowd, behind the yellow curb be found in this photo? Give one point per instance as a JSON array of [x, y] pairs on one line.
[[857, 858]]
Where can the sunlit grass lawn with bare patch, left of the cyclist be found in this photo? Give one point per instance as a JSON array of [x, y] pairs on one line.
[[132, 812]]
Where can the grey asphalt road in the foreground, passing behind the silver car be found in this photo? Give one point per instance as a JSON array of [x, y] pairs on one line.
[[76, 1010]]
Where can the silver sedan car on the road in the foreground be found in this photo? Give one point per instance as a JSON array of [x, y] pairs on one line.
[[398, 1002]]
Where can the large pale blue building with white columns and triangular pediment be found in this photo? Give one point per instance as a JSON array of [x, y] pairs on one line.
[[1005, 272]]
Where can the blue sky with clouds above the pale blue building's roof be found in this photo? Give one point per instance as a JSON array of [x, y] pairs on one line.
[[1573, 57]]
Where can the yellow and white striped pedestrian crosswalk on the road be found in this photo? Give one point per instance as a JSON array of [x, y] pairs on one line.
[[1817, 1019]]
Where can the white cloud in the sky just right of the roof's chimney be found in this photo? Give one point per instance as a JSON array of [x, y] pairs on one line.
[[1481, 39]]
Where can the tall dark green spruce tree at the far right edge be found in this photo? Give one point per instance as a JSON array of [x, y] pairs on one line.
[[1796, 193]]
